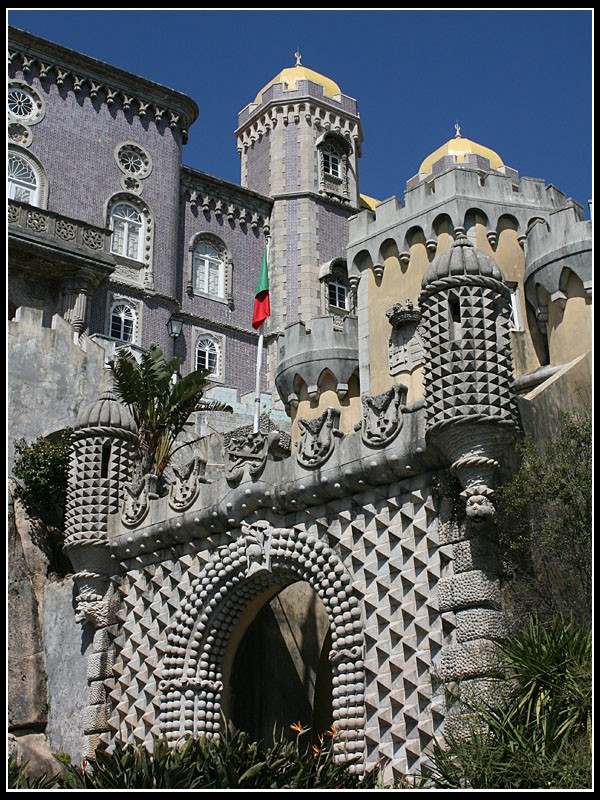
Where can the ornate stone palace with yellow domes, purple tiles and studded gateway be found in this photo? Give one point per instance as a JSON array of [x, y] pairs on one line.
[[314, 568]]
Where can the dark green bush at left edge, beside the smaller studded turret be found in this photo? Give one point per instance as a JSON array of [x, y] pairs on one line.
[[42, 470]]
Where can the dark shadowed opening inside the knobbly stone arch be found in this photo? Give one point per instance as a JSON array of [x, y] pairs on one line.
[[276, 670]]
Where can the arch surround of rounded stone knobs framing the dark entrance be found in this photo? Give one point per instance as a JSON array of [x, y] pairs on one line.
[[263, 559]]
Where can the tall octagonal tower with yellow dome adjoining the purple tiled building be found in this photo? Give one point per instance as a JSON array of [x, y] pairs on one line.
[[299, 143]]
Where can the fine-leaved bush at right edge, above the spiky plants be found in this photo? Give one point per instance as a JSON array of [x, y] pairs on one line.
[[546, 535]]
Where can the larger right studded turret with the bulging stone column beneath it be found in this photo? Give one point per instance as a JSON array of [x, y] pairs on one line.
[[470, 423]]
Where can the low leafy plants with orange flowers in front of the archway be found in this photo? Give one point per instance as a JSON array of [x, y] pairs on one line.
[[232, 761]]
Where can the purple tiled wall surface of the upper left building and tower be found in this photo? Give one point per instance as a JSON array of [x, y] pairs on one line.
[[91, 110]]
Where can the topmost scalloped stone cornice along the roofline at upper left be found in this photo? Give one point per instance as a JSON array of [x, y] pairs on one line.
[[78, 72]]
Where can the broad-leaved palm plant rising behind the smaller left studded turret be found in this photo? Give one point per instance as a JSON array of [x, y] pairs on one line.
[[160, 407]]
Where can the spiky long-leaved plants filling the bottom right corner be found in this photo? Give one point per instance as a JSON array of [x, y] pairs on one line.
[[539, 739]]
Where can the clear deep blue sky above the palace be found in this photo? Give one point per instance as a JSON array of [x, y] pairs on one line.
[[517, 81]]
